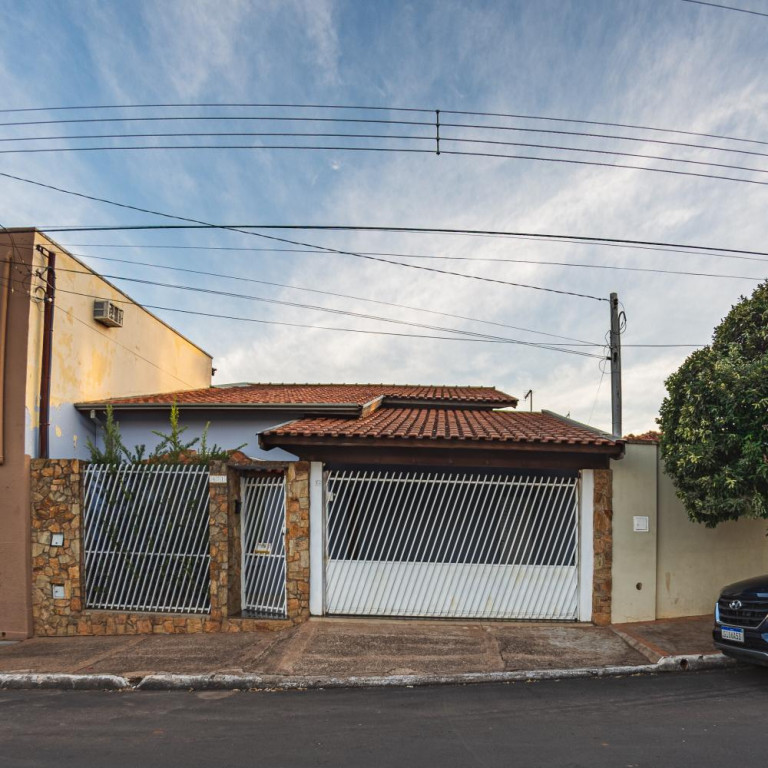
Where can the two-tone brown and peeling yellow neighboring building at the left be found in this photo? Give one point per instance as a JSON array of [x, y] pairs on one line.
[[53, 353]]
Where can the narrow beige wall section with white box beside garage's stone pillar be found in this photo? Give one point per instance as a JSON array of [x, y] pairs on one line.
[[634, 554]]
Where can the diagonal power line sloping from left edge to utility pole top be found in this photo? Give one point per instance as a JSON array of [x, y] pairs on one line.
[[198, 223]]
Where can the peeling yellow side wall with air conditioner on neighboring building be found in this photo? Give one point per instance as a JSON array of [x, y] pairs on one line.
[[91, 361]]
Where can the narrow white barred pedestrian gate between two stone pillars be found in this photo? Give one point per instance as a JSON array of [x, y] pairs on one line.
[[263, 546]]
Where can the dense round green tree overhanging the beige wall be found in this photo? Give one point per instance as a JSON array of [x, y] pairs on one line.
[[714, 420]]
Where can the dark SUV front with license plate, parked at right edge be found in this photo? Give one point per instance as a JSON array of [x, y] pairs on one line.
[[741, 628]]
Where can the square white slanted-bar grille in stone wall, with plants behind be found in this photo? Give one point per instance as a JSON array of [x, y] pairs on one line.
[[146, 538]]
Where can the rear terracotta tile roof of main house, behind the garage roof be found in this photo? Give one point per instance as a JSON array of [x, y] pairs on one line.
[[328, 394]]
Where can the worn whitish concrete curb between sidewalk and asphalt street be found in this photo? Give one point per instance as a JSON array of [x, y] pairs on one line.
[[226, 682]]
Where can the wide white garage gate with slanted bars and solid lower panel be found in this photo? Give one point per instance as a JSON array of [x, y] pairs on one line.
[[404, 543]]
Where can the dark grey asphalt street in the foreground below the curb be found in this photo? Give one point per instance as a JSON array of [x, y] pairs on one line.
[[694, 719]]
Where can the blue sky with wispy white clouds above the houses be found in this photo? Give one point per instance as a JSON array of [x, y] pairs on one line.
[[661, 63]]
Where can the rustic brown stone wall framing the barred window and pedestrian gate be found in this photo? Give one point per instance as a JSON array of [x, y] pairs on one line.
[[56, 491]]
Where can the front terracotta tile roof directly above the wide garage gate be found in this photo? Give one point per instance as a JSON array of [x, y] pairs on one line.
[[445, 424]]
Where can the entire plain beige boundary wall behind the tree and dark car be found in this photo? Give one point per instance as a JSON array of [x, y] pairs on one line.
[[681, 564]]
